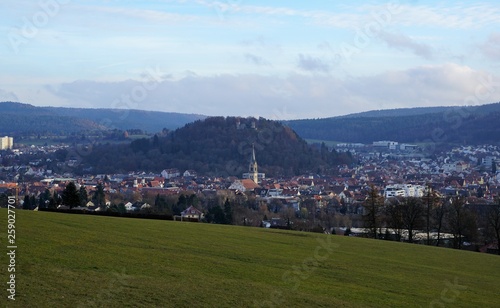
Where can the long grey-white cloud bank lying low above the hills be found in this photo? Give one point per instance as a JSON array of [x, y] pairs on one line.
[[294, 95]]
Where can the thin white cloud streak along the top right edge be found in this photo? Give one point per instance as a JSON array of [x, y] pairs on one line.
[[460, 16]]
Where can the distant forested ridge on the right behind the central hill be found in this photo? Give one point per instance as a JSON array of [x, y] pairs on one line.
[[469, 125]]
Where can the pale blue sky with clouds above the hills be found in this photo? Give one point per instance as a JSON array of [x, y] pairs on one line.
[[276, 59]]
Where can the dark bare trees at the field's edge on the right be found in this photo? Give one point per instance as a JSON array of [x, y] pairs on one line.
[[406, 216]]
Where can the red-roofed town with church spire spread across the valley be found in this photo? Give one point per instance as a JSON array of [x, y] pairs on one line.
[[333, 203]]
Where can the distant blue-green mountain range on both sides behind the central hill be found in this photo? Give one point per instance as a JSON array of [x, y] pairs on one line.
[[468, 124]]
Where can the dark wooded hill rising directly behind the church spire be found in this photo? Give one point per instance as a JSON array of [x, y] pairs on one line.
[[217, 146]]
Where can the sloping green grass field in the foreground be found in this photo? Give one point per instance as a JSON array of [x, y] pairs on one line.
[[67, 260]]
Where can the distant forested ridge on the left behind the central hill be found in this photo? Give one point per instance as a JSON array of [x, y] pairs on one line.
[[26, 118]]
